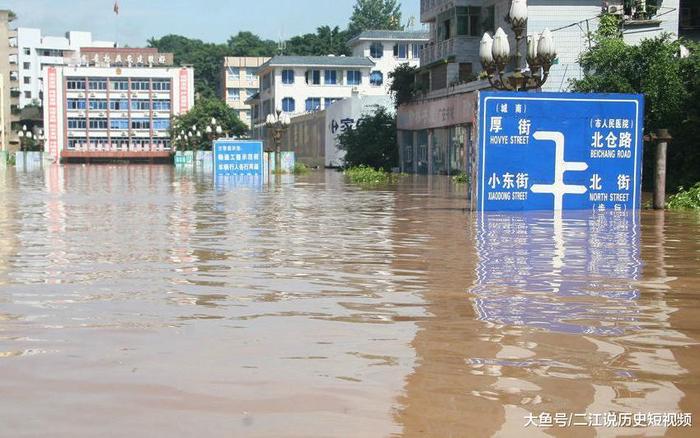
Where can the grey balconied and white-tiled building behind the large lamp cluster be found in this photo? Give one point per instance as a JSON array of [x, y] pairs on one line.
[[435, 131]]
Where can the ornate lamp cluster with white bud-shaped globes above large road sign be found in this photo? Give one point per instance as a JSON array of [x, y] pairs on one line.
[[495, 54]]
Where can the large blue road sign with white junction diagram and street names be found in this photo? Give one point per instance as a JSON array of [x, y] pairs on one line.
[[560, 151]]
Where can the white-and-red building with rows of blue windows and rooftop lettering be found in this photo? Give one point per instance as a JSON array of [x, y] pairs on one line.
[[111, 111]]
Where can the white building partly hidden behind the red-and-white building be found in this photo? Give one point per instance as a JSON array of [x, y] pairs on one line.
[[36, 52]]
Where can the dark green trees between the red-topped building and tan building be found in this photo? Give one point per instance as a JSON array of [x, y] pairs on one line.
[[207, 59]]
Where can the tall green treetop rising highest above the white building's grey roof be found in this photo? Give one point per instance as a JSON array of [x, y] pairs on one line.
[[373, 15]]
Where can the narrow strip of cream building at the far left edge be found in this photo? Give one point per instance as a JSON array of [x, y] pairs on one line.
[[9, 89]]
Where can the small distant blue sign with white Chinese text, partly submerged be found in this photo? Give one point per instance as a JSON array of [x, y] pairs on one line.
[[238, 158]]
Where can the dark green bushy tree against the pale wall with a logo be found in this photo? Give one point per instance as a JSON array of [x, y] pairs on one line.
[[373, 141]]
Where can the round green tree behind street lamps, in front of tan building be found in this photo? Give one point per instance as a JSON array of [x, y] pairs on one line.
[[200, 116]]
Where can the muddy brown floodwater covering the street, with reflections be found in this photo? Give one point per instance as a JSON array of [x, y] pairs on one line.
[[139, 301]]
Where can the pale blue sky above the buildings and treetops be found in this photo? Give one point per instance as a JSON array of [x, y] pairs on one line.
[[208, 20]]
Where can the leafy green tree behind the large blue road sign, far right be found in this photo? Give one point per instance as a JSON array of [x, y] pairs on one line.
[[669, 82]]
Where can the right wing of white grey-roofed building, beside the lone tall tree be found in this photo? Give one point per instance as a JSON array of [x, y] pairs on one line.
[[388, 49]]
